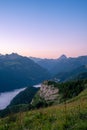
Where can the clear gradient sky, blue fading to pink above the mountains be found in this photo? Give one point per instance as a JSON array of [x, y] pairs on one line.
[[43, 28]]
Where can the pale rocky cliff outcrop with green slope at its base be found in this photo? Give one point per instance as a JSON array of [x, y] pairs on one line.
[[47, 94]]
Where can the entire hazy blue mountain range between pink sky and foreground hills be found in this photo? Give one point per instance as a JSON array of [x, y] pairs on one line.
[[17, 71]]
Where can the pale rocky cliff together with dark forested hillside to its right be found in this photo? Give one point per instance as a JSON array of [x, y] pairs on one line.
[[52, 93]]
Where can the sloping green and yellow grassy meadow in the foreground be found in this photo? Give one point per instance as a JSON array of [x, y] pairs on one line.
[[69, 116]]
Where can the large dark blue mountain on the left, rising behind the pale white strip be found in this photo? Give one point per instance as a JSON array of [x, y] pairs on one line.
[[17, 71]]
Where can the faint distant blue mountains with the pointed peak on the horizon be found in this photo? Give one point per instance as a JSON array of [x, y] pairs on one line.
[[61, 64]]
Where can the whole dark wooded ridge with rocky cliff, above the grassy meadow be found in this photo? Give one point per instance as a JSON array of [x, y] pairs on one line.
[[49, 94]]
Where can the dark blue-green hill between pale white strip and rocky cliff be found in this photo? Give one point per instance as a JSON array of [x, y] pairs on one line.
[[20, 102]]
